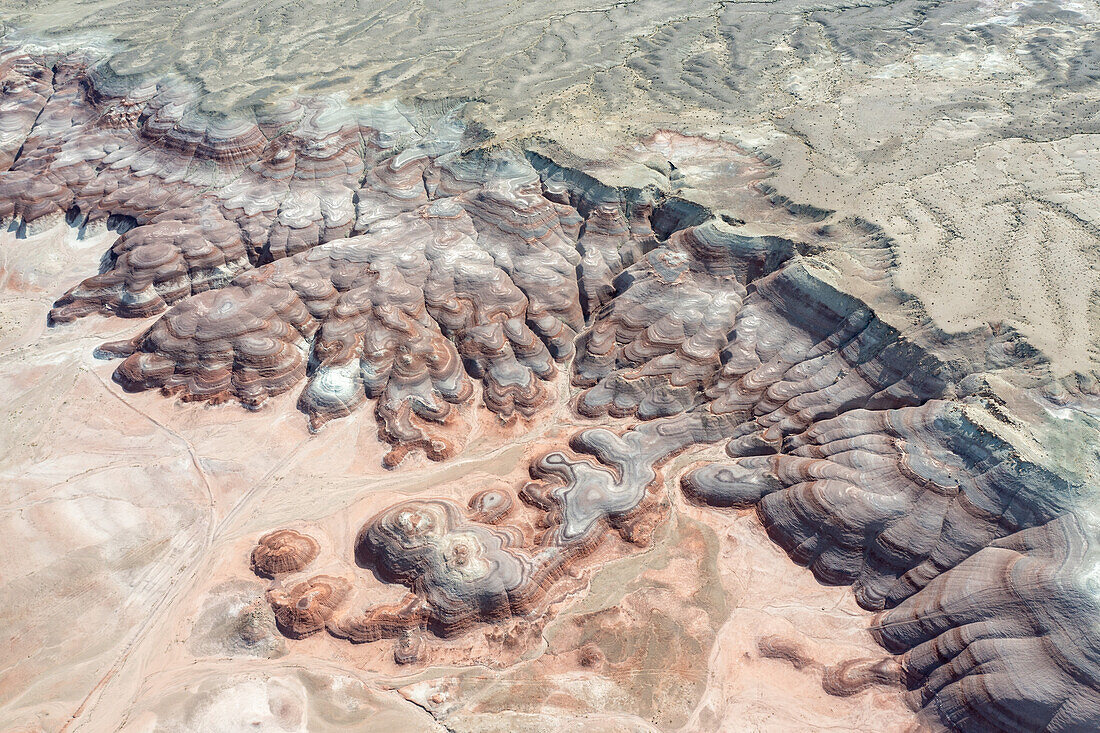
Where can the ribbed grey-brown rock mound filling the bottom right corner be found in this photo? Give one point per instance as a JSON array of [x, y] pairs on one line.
[[1008, 639]]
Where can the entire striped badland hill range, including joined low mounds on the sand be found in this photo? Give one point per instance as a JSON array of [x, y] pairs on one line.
[[380, 256]]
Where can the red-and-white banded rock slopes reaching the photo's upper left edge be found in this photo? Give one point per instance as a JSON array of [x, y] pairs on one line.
[[210, 198]]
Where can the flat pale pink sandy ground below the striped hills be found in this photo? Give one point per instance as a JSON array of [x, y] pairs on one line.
[[130, 603]]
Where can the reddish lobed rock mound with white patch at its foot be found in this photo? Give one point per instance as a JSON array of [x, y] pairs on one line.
[[402, 315]]
